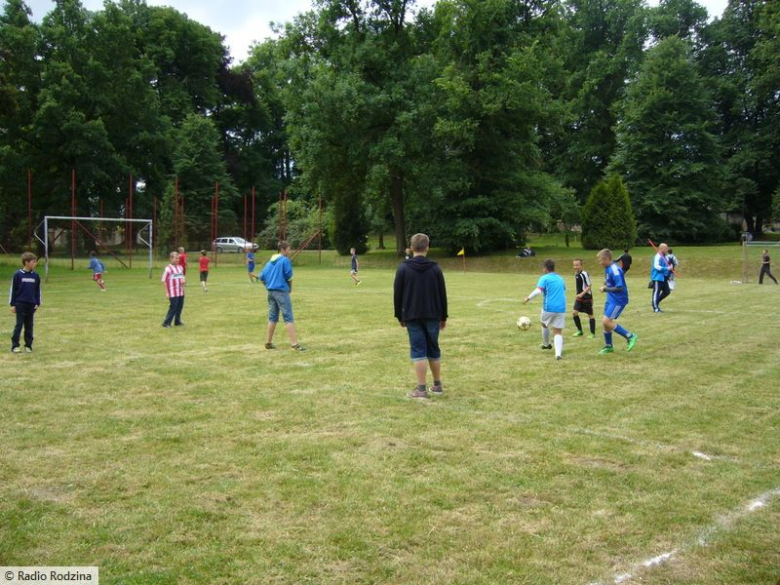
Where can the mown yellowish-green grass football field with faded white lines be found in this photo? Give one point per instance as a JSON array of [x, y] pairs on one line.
[[194, 455]]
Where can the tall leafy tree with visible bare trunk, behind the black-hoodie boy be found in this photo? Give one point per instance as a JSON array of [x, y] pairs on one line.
[[357, 110]]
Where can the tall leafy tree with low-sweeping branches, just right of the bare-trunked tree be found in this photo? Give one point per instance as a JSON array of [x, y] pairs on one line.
[[493, 95]]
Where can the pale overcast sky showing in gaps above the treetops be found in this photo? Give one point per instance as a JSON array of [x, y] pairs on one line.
[[243, 22]]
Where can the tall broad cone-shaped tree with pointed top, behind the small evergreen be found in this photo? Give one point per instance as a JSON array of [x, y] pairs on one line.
[[667, 151]]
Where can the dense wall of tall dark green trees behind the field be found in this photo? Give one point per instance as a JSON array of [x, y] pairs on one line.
[[474, 121]]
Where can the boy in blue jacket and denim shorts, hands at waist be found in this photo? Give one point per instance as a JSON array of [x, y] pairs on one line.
[[277, 276]]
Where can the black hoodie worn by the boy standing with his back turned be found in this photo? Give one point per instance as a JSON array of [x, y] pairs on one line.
[[419, 291]]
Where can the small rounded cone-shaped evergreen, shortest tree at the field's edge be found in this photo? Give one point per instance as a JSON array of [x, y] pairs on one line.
[[607, 217]]
